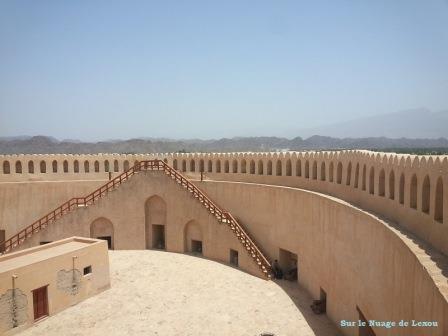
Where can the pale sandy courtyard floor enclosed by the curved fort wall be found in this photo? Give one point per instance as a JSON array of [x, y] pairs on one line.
[[161, 293]]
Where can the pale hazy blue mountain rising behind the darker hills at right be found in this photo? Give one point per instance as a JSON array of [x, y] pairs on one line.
[[417, 123]]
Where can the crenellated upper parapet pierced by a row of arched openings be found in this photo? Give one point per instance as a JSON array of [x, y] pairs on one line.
[[411, 190]]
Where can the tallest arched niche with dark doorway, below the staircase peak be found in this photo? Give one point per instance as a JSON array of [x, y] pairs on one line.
[[155, 221]]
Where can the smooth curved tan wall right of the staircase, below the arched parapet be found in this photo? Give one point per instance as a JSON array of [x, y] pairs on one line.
[[359, 260]]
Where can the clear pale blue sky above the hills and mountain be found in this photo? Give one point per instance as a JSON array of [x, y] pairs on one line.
[[95, 70]]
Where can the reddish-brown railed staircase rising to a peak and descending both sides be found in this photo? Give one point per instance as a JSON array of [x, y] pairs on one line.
[[223, 217]]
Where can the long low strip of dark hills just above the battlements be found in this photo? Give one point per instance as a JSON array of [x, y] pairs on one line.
[[48, 145]]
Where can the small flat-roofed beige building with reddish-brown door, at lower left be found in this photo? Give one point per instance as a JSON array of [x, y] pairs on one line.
[[44, 280]]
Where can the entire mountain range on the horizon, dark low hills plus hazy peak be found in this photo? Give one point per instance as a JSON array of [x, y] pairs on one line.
[[406, 130]]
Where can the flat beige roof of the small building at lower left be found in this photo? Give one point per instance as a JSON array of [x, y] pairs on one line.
[[44, 252]]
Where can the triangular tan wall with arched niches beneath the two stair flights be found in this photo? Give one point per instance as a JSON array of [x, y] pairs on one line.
[[129, 214]]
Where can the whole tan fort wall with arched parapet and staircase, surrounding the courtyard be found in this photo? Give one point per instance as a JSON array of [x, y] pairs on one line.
[[367, 230]]
